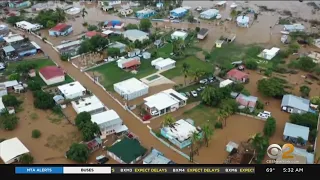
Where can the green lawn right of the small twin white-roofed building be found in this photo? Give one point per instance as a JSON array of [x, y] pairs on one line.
[[193, 62]]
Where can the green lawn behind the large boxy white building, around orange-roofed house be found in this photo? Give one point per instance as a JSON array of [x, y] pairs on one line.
[[112, 73]]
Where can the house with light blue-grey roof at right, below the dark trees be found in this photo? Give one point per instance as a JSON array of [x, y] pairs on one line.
[[295, 104]]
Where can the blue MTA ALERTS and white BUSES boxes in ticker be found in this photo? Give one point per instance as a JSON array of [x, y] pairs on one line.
[[62, 170]]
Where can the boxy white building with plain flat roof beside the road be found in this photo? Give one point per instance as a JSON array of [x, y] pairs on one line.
[[131, 88]]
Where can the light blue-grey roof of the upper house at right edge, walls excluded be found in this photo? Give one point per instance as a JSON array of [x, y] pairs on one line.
[[295, 102]]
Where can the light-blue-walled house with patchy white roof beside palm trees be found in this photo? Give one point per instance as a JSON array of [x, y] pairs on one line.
[[180, 133]]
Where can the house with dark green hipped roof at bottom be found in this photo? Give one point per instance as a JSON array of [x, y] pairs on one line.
[[127, 151]]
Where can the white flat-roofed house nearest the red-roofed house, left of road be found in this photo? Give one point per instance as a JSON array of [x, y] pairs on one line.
[[72, 90]]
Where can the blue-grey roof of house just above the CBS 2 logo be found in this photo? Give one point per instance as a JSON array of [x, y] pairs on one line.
[[294, 130]]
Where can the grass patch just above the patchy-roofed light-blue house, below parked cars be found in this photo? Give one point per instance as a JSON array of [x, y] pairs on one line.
[[201, 114]]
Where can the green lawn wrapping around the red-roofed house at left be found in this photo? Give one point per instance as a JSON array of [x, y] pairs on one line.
[[40, 63]]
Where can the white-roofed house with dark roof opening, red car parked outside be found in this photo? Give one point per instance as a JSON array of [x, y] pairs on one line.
[[164, 102]]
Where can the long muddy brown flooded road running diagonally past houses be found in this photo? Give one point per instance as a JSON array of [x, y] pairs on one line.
[[132, 123]]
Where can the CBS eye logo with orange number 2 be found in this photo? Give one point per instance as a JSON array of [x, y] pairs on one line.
[[274, 151]]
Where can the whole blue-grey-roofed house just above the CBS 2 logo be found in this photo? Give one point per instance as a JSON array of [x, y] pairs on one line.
[[292, 132]]
